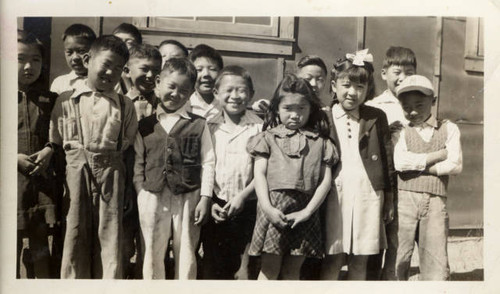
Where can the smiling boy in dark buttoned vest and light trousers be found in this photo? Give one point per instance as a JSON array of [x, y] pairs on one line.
[[173, 174]]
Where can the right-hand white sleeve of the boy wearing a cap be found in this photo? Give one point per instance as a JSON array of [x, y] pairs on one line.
[[453, 164]]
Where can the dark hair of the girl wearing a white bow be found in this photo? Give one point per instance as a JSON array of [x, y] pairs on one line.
[[355, 73]]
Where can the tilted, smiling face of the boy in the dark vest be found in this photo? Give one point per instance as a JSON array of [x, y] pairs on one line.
[[173, 89]]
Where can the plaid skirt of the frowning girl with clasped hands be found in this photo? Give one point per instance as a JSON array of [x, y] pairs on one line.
[[305, 239]]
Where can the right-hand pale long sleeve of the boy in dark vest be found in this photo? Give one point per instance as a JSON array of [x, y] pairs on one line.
[[207, 163]]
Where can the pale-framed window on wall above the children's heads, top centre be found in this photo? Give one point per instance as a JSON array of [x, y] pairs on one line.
[[253, 35]]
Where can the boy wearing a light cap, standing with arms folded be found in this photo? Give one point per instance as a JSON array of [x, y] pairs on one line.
[[426, 152]]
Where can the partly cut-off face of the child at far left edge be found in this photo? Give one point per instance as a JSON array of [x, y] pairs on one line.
[[29, 64]]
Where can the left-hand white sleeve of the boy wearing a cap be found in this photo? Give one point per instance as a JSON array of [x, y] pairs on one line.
[[405, 160]]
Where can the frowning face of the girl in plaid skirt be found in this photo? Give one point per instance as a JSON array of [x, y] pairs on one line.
[[294, 110]]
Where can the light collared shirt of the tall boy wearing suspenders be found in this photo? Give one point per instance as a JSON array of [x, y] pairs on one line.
[[100, 117]]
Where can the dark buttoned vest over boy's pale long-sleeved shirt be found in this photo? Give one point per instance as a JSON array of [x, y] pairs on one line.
[[172, 159]]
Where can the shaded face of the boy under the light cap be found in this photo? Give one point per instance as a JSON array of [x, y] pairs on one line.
[[416, 106]]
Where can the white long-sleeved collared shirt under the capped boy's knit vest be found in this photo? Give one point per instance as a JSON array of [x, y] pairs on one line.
[[405, 160]]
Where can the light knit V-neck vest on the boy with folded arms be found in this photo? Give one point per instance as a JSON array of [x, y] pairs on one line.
[[417, 181]]
